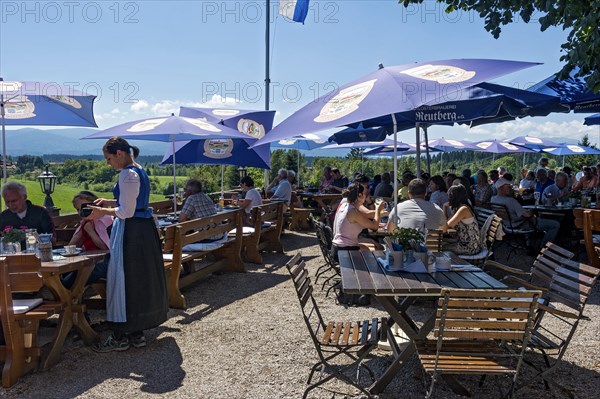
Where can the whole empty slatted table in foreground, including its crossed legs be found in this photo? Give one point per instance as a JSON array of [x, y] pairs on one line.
[[362, 274]]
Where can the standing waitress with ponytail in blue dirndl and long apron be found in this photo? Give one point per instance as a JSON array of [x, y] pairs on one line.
[[136, 288]]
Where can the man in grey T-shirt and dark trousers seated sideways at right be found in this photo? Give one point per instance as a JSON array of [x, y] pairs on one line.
[[522, 217]]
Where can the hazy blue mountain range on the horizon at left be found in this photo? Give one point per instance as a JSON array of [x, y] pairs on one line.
[[33, 141]]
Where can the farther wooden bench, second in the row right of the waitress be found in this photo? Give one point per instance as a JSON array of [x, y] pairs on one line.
[[264, 237]]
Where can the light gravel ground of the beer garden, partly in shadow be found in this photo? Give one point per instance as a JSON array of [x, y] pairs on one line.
[[243, 336]]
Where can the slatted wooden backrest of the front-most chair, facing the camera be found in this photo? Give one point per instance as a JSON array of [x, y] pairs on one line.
[[486, 314]]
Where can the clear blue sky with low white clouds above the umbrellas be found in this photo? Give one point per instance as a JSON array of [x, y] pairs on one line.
[[147, 58]]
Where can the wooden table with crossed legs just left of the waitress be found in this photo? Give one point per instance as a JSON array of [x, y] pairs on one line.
[[73, 310]]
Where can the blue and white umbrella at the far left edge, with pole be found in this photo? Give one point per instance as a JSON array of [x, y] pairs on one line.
[[40, 103]]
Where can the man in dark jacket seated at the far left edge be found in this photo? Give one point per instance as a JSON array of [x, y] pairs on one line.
[[21, 213]]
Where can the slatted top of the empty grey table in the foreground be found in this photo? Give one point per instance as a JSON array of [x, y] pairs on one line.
[[362, 274]]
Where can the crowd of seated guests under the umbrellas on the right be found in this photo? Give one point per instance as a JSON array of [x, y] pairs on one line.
[[447, 201]]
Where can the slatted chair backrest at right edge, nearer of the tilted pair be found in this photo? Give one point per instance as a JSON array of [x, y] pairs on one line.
[[572, 284]]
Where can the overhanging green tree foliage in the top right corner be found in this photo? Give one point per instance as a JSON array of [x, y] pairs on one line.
[[580, 17]]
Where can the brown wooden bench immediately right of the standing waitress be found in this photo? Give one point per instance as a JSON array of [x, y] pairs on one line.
[[228, 255]]
